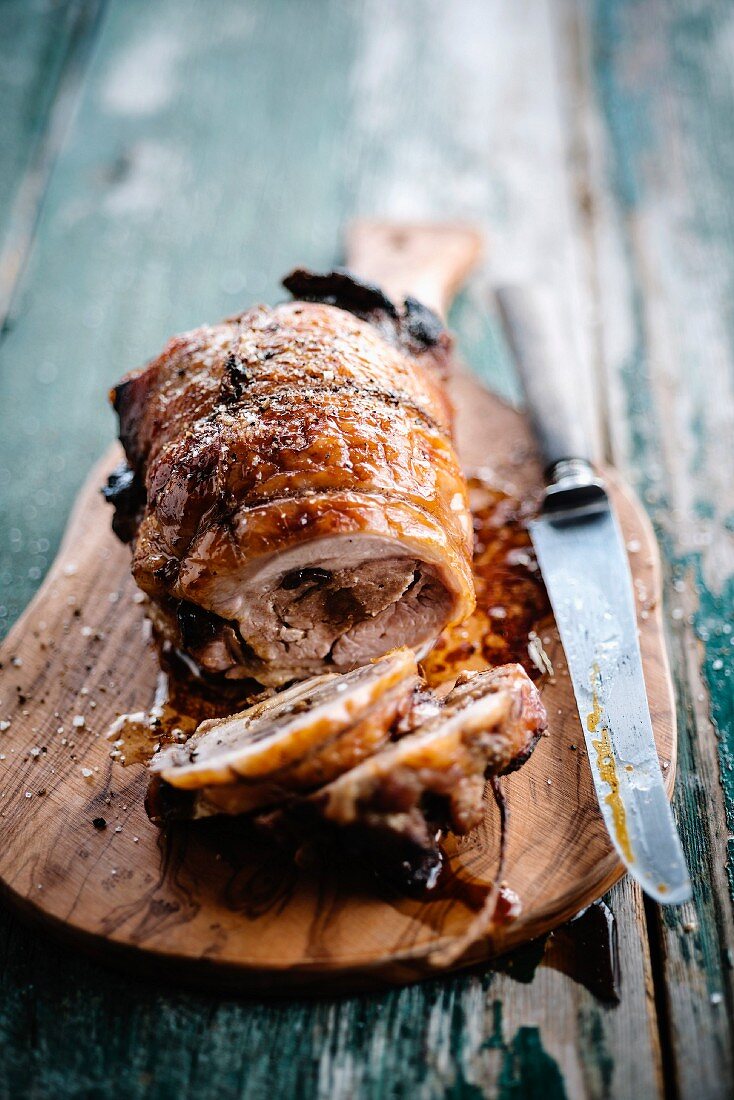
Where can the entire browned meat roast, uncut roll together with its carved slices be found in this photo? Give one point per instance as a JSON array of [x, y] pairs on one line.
[[299, 518]]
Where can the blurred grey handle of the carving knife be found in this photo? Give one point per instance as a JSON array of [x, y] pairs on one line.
[[544, 353]]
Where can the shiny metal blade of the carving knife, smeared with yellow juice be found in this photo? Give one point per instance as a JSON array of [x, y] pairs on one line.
[[585, 567]]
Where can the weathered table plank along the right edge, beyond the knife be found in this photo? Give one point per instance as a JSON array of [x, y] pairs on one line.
[[654, 166]]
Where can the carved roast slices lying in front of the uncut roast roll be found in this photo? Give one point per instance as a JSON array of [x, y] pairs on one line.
[[370, 756]]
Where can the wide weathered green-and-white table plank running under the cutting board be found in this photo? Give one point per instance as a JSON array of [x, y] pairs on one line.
[[209, 156]]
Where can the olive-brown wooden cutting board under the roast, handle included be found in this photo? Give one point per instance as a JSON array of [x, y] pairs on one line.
[[206, 904]]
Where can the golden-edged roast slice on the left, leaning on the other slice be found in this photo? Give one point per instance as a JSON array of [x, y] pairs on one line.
[[295, 742]]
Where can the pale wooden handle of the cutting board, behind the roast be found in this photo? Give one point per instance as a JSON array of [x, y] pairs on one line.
[[429, 261]]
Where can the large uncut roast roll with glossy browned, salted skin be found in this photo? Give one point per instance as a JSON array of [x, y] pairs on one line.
[[294, 499]]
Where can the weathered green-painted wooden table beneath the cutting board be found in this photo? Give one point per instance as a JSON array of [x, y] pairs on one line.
[[163, 166]]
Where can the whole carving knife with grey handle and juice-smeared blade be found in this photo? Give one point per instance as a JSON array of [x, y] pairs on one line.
[[585, 566]]
